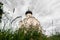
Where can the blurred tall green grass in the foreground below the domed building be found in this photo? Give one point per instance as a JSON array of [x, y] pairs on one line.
[[26, 34]]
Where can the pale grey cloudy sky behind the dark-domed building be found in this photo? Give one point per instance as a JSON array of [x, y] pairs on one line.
[[46, 11]]
